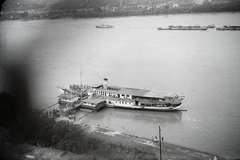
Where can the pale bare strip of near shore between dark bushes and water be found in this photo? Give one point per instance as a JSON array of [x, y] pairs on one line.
[[169, 150]]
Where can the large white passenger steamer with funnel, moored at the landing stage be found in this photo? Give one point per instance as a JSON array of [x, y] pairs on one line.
[[135, 98]]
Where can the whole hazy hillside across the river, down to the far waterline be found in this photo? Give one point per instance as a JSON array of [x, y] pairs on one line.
[[54, 9]]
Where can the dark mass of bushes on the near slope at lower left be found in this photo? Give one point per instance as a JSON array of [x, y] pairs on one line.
[[40, 130]]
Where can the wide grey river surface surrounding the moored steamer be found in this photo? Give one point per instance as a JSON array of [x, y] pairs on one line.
[[202, 65]]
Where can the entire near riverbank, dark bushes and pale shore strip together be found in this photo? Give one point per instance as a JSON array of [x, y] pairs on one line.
[[35, 135]]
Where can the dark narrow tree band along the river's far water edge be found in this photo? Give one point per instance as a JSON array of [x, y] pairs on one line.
[[61, 14]]
